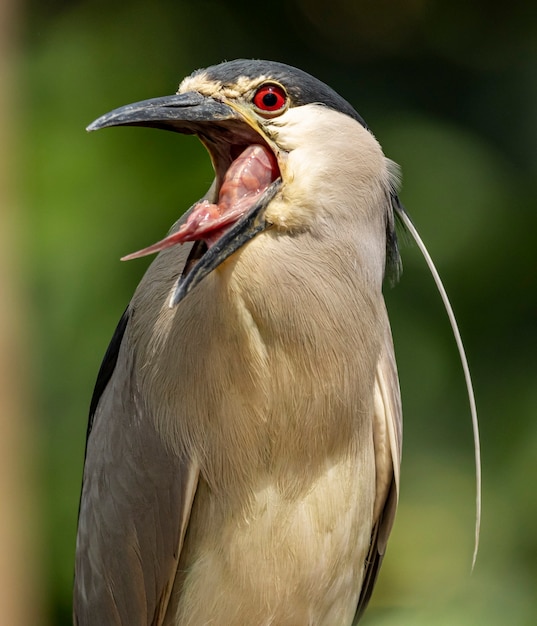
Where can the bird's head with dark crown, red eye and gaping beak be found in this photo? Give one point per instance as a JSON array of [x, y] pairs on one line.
[[288, 152]]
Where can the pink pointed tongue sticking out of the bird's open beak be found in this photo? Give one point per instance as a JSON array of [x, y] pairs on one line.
[[245, 181]]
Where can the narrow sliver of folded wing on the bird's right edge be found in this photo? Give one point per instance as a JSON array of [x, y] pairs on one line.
[[387, 435]]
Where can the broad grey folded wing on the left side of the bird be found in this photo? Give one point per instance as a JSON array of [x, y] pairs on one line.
[[135, 504]]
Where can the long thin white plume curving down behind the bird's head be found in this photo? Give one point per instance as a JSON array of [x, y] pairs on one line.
[[407, 222]]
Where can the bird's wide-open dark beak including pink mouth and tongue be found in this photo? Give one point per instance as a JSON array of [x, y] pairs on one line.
[[247, 178]]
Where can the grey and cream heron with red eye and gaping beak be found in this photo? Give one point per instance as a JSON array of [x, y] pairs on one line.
[[244, 443]]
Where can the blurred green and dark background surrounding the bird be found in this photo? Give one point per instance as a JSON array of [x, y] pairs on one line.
[[450, 90]]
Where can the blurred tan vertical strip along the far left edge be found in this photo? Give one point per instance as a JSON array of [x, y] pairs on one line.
[[19, 564]]
